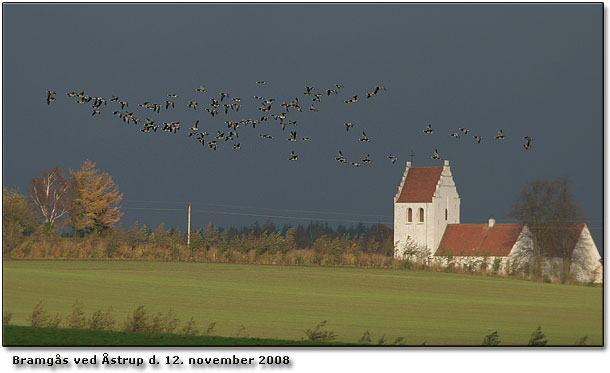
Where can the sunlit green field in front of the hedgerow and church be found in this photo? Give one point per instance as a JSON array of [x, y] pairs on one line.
[[282, 302]]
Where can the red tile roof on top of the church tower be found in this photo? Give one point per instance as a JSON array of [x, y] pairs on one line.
[[420, 184]]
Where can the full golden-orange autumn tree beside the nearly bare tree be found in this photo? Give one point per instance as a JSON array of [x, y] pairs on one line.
[[95, 200]]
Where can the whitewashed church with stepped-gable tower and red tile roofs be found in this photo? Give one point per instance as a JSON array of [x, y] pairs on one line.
[[427, 213]]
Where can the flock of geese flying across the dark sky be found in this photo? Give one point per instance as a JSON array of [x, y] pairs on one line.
[[224, 103]]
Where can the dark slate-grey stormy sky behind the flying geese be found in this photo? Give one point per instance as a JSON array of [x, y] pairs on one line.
[[526, 69]]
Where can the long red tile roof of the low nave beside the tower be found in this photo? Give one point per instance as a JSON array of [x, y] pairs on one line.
[[479, 239]]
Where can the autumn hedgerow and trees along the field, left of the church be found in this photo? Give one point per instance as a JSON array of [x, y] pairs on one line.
[[314, 244]]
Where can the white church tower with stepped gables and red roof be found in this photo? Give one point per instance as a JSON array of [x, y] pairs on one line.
[[426, 201]]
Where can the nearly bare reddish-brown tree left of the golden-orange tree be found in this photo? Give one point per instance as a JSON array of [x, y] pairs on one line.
[[50, 194]]
